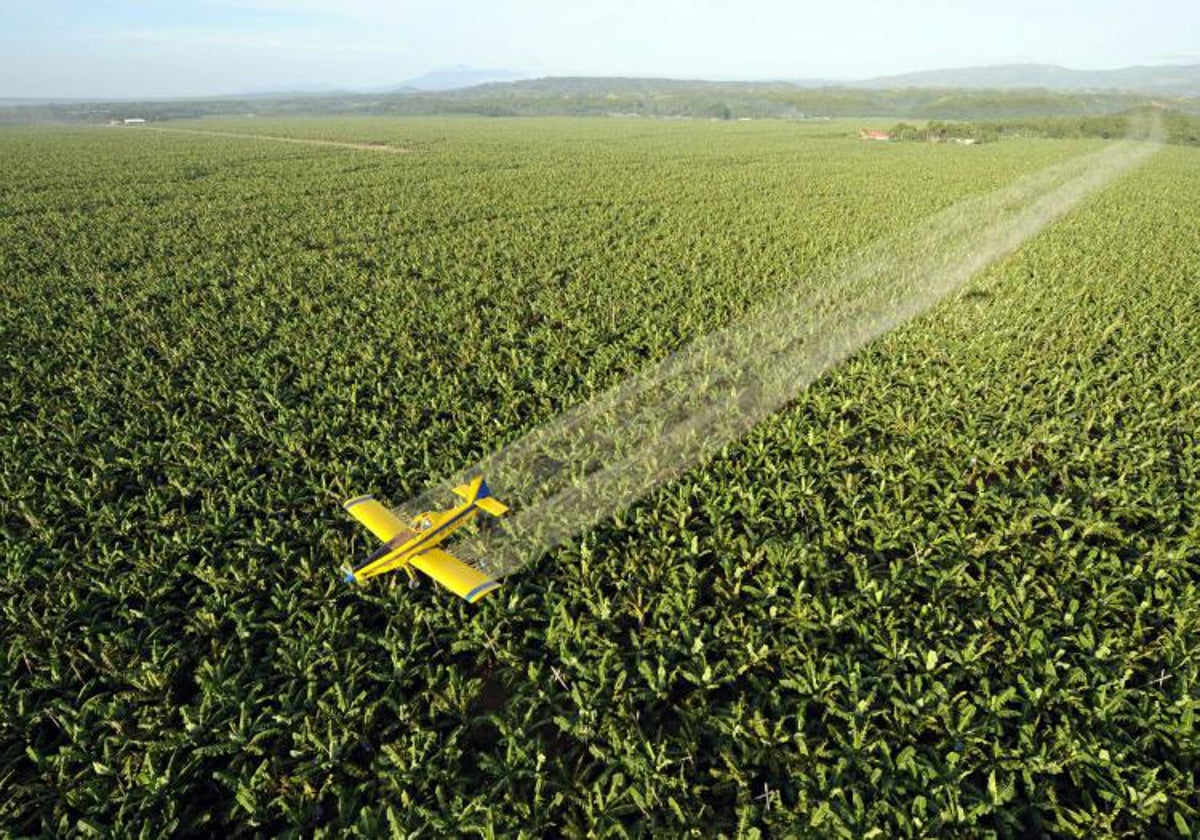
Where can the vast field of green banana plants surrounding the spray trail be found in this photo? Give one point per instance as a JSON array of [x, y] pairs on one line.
[[953, 590]]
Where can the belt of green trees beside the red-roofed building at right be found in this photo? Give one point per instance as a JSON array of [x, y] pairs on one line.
[[1174, 127]]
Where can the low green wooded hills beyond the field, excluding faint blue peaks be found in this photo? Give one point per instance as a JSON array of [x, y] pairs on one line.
[[631, 98]]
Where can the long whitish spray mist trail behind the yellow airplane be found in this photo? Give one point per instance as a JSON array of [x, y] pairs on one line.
[[599, 458]]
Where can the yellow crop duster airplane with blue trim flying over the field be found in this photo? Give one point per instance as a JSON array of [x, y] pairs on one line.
[[416, 545]]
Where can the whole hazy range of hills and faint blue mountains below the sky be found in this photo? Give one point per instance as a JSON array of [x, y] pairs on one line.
[[969, 94]]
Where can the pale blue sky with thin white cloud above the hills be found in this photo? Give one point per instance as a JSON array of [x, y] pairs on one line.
[[161, 49]]
